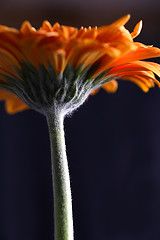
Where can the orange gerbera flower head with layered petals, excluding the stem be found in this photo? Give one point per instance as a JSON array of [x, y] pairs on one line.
[[101, 55]]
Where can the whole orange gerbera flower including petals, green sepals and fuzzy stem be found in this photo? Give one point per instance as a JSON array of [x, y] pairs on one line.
[[54, 69]]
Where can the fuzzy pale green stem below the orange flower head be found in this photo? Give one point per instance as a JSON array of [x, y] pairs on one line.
[[63, 223]]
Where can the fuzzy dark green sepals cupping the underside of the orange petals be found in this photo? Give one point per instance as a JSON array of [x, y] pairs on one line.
[[42, 89]]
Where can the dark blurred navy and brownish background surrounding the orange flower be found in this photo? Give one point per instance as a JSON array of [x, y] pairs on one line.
[[113, 142]]
